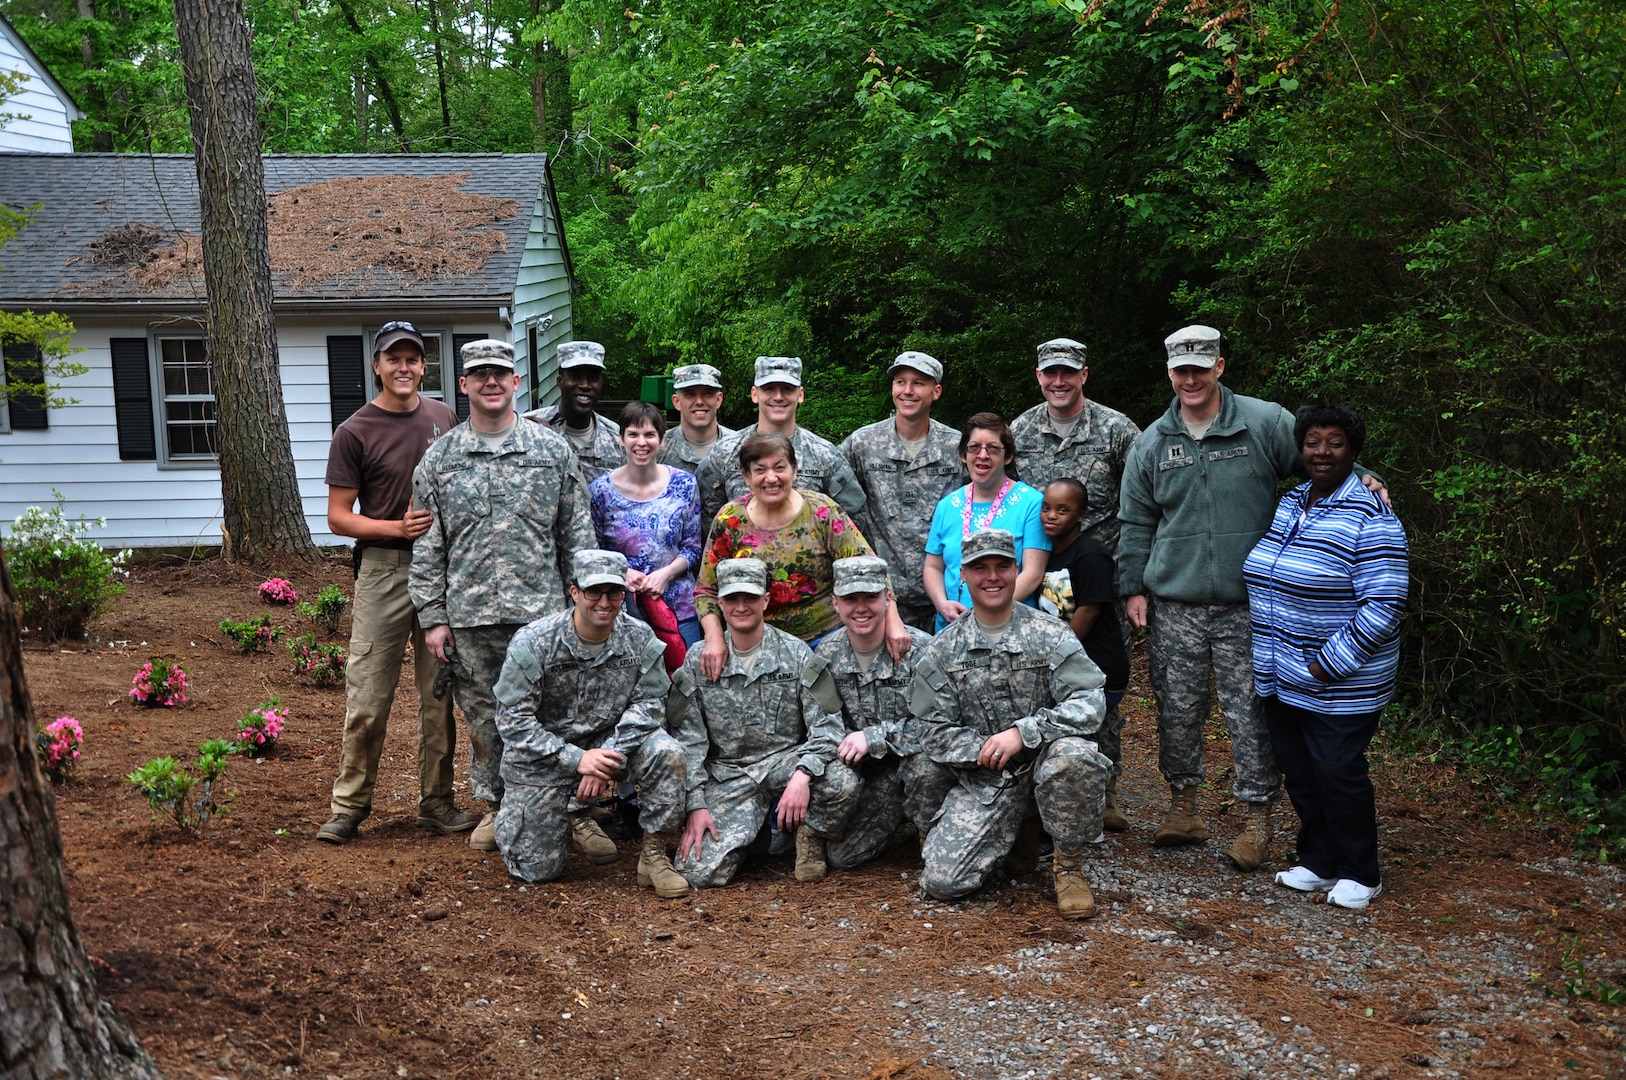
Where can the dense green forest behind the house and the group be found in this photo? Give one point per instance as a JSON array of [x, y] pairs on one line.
[[1417, 207]]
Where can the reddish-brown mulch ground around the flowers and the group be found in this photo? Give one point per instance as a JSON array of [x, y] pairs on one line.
[[253, 951]]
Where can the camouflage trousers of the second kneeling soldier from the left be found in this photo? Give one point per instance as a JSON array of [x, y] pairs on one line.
[[739, 806]]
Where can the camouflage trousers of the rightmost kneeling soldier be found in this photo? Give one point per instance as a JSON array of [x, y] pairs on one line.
[[980, 821]]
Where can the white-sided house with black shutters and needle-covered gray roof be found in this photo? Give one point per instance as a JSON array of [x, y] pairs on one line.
[[466, 246]]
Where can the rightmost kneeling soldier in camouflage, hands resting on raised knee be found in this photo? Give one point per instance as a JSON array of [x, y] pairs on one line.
[[1009, 700]]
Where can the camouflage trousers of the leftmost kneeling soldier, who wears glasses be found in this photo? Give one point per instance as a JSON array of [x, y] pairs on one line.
[[534, 822]]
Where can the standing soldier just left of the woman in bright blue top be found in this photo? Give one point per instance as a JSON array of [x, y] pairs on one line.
[[905, 466]]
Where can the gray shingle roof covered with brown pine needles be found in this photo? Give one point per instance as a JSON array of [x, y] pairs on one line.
[[124, 229]]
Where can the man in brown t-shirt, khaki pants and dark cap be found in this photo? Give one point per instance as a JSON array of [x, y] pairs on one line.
[[370, 499]]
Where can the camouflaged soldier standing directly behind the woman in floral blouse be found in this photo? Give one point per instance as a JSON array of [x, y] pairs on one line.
[[820, 466]]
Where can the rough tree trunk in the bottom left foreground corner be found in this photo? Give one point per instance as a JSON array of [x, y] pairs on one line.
[[54, 1021]]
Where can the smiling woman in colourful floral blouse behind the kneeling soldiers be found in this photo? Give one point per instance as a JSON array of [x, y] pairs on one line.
[[799, 534]]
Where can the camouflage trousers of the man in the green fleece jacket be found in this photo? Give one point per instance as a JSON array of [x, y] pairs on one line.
[[1186, 640]]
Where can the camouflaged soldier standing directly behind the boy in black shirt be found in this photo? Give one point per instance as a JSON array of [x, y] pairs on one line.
[[1067, 435]]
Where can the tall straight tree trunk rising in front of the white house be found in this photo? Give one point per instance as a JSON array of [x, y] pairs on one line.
[[259, 490]]
